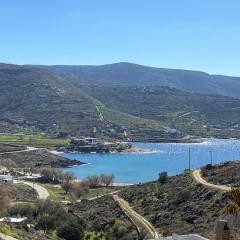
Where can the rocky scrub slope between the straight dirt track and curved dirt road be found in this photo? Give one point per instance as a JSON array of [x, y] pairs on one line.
[[180, 205]]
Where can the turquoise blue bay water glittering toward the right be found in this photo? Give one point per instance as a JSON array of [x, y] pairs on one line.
[[143, 167]]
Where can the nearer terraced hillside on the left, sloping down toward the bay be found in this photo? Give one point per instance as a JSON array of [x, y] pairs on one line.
[[37, 100]]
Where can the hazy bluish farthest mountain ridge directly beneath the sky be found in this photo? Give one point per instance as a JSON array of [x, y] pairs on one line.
[[136, 75]]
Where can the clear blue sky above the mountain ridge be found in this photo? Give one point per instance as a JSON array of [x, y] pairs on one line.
[[185, 34]]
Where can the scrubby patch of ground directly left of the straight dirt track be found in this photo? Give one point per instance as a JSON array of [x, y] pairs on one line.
[[103, 215]]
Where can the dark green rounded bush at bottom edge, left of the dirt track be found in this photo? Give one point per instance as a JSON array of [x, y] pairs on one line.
[[71, 231]]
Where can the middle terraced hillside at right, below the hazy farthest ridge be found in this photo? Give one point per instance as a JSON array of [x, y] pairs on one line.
[[197, 114]]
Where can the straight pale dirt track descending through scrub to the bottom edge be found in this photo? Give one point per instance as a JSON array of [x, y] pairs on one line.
[[139, 221]]
